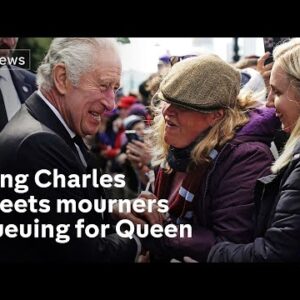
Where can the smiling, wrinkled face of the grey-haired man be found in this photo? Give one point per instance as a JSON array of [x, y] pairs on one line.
[[83, 106]]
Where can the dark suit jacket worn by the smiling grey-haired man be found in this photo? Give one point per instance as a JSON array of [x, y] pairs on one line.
[[35, 139]]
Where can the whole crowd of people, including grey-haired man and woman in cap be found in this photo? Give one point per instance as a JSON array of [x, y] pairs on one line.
[[219, 141]]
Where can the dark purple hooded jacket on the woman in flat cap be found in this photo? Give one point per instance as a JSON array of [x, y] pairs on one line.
[[224, 208]]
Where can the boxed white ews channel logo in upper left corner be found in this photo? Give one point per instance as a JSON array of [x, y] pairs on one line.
[[19, 58]]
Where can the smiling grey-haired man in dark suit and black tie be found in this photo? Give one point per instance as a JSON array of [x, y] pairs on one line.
[[77, 83]]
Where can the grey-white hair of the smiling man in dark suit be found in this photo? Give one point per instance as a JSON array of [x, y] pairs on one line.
[[77, 54]]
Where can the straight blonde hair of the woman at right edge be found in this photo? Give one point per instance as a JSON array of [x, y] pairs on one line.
[[287, 56]]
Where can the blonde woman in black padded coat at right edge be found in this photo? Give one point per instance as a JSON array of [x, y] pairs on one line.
[[277, 196]]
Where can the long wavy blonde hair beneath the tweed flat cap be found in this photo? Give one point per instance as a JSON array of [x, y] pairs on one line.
[[218, 135]]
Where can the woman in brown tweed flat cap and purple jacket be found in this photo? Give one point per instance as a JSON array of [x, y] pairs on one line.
[[210, 145]]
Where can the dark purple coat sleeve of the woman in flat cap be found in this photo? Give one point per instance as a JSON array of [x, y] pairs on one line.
[[230, 213]]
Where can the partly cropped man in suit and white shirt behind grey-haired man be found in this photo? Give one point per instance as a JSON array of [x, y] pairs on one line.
[[16, 84]]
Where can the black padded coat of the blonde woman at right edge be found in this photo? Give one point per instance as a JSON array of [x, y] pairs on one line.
[[277, 221]]
